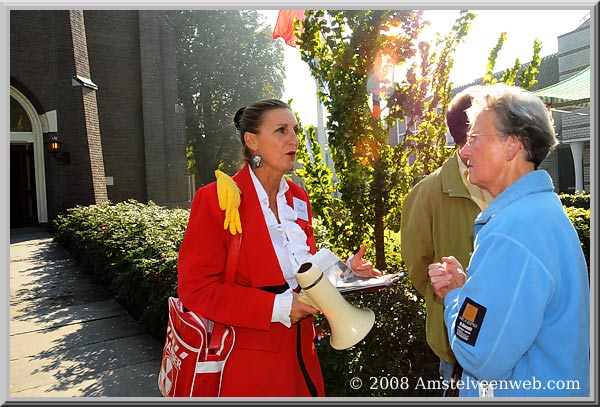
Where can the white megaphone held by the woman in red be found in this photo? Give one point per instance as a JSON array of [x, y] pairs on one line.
[[349, 325]]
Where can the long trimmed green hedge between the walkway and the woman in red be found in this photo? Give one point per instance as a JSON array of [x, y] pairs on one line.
[[131, 248]]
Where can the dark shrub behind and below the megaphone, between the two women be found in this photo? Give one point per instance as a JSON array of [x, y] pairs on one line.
[[392, 358]]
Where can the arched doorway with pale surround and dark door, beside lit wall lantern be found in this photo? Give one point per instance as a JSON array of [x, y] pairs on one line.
[[27, 174]]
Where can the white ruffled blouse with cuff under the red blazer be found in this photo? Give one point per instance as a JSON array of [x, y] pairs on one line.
[[289, 242]]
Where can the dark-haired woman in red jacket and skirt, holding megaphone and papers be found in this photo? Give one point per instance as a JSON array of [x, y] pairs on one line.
[[274, 352]]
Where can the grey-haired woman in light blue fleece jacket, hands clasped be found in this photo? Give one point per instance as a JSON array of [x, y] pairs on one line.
[[518, 317]]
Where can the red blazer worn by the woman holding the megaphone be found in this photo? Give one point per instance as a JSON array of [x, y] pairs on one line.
[[201, 274]]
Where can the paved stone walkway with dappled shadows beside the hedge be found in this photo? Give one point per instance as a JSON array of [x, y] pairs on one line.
[[68, 336]]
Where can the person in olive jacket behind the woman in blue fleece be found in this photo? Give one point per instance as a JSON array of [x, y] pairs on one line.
[[437, 220]]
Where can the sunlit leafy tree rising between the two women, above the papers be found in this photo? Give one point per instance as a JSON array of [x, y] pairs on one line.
[[348, 52]]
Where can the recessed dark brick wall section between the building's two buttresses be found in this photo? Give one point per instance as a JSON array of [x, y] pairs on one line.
[[114, 53]]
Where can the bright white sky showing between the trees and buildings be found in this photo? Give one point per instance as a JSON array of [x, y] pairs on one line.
[[521, 26]]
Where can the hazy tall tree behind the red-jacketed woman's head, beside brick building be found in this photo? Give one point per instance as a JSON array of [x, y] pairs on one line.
[[226, 59]]
